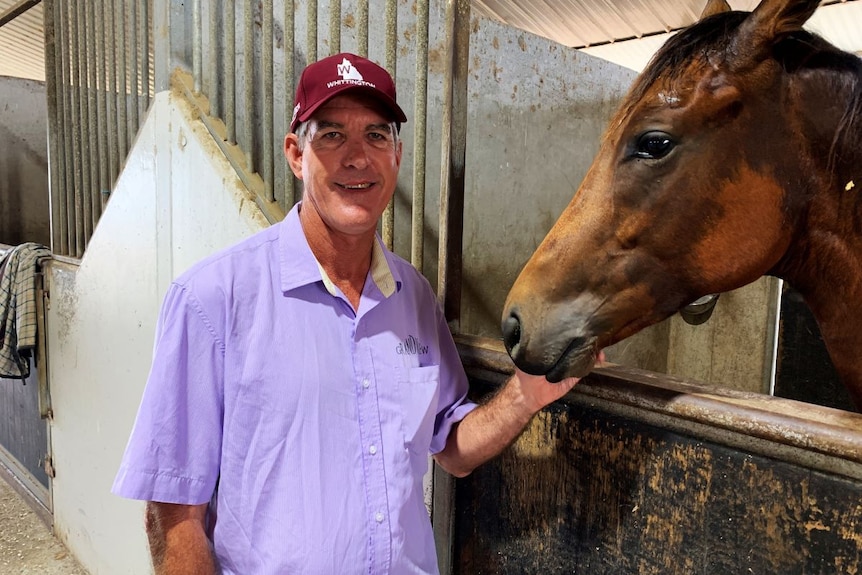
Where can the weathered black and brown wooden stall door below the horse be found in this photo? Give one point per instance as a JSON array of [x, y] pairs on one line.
[[592, 489]]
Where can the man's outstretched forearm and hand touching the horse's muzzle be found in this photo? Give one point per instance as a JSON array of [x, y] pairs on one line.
[[490, 428]]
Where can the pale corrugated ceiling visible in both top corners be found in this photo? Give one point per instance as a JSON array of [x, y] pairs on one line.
[[626, 32]]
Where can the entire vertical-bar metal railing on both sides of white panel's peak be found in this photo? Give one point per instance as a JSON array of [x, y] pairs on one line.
[[105, 60]]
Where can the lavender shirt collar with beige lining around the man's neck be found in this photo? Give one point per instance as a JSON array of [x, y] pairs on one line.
[[300, 267]]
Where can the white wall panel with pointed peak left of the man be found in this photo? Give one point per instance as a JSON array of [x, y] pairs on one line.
[[176, 201]]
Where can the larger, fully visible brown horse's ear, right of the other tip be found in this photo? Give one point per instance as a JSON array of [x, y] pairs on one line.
[[768, 24]]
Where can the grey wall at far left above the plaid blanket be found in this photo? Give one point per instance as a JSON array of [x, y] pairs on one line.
[[24, 207]]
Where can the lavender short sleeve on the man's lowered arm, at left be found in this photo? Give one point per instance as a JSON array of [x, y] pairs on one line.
[[174, 450]]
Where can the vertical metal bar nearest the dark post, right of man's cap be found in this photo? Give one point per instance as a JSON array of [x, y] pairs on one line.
[[420, 100]]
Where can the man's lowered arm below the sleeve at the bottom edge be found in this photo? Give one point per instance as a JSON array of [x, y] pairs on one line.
[[178, 541]]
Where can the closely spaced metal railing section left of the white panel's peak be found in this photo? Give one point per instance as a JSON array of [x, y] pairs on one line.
[[98, 62]]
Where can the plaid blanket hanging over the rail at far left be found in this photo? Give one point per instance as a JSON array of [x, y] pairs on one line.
[[18, 323]]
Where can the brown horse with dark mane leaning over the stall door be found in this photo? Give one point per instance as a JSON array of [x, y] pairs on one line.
[[737, 153]]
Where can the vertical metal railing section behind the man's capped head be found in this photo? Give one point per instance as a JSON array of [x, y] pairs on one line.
[[239, 63]]
